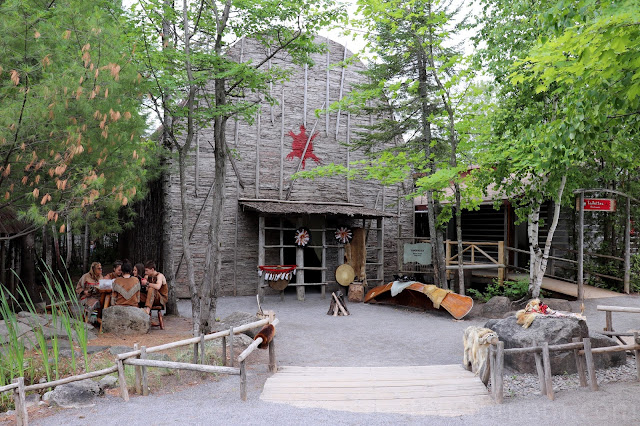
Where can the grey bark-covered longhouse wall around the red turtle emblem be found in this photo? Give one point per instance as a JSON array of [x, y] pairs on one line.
[[262, 143]]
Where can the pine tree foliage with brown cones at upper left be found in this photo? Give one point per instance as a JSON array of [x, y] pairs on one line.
[[71, 121]]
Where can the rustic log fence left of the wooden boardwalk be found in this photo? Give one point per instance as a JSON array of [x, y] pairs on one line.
[[138, 358]]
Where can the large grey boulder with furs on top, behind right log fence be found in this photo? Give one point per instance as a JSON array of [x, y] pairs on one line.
[[554, 330]]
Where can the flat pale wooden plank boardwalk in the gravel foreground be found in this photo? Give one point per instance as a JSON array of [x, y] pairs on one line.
[[437, 390]]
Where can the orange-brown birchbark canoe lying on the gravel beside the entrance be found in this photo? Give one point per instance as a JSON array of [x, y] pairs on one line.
[[413, 296]]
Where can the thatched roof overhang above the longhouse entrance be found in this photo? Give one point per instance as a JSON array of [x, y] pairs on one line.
[[293, 208]]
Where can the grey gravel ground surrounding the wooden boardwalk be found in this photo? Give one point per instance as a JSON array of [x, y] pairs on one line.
[[372, 336]]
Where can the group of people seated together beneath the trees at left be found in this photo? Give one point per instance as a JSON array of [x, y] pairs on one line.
[[138, 285]]
